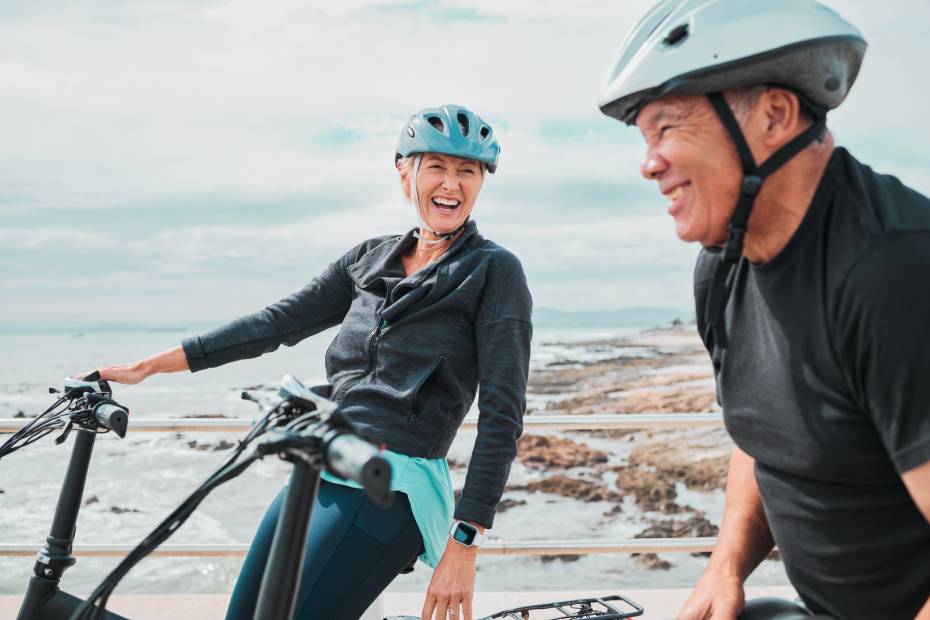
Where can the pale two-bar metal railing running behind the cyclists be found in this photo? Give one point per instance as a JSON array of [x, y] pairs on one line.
[[492, 547]]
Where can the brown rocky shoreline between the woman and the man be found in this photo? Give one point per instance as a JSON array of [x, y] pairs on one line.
[[644, 472]]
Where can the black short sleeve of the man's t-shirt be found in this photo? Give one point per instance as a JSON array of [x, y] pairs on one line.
[[883, 342]]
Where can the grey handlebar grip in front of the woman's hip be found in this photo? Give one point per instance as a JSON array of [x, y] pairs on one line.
[[353, 458]]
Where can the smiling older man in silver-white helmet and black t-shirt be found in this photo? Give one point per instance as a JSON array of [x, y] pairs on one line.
[[812, 295]]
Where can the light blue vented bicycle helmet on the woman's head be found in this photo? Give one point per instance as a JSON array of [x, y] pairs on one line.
[[450, 130]]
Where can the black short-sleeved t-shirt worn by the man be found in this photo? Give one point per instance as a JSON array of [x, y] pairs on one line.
[[826, 384]]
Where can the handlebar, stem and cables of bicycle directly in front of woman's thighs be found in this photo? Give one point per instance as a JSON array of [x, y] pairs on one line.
[[302, 426]]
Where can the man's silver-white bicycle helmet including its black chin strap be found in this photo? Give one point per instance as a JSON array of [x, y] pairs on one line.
[[710, 46]]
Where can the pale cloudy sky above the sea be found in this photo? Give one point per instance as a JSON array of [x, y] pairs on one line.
[[182, 162]]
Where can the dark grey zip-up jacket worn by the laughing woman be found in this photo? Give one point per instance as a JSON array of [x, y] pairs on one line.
[[411, 351]]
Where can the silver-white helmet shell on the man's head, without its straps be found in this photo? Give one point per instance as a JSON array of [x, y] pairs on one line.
[[701, 46]]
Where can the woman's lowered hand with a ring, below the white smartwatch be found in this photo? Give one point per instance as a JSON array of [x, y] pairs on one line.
[[453, 585]]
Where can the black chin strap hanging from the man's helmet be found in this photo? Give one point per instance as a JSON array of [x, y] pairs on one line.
[[715, 334]]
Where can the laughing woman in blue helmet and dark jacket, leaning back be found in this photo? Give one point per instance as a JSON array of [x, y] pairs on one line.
[[425, 319]]
